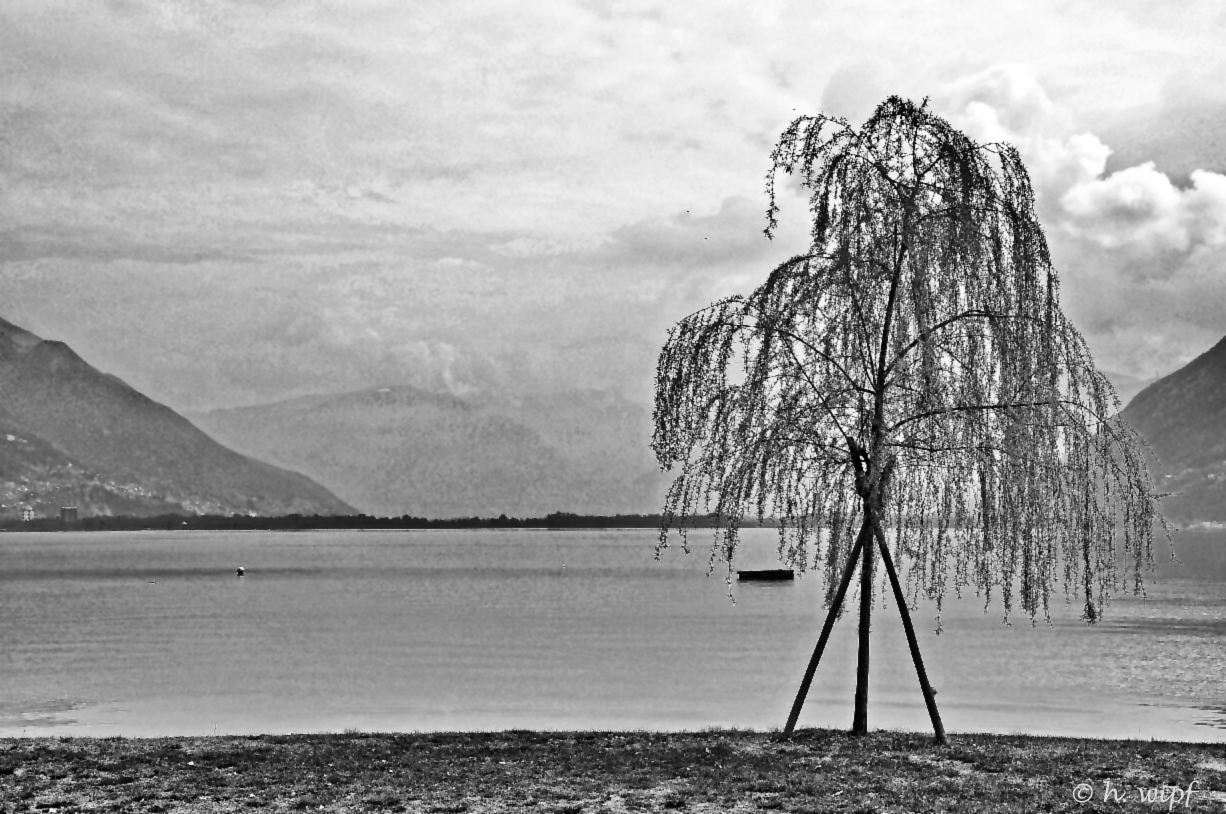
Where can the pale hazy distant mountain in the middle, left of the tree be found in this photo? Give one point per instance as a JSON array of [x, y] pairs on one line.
[[404, 451]]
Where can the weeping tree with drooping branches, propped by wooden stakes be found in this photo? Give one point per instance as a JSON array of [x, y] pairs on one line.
[[908, 389]]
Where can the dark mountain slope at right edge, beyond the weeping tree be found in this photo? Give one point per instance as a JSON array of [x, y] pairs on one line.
[[1184, 419]]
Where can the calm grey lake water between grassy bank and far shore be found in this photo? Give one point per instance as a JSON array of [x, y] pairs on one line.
[[153, 633]]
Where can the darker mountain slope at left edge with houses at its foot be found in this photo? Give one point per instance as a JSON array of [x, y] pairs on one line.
[[73, 436]]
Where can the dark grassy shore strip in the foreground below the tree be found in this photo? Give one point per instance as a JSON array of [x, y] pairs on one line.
[[609, 772]]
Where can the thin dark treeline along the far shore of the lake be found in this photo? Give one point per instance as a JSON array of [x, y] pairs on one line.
[[312, 523]]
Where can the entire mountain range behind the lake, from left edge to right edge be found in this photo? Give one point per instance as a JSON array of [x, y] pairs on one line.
[[74, 436]]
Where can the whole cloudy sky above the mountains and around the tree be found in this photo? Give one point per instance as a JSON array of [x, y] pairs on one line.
[[235, 203]]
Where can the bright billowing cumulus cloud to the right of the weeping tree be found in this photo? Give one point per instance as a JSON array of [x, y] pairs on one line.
[[1142, 257]]
